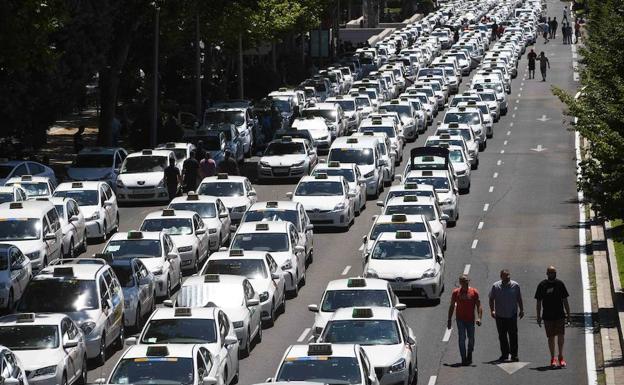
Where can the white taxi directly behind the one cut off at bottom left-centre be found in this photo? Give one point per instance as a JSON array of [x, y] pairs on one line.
[[209, 326]]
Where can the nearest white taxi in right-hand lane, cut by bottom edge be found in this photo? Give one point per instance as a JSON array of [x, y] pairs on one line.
[[327, 363]]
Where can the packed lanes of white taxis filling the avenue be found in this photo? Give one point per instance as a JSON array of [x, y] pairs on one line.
[[248, 256]]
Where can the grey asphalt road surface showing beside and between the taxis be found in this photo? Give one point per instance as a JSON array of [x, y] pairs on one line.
[[521, 214]]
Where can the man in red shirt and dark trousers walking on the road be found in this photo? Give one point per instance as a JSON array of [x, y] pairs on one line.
[[465, 300]]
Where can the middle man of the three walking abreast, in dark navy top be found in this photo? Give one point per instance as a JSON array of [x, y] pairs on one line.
[[505, 301]]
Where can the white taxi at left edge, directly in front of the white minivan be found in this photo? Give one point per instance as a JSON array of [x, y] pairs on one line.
[[51, 347]]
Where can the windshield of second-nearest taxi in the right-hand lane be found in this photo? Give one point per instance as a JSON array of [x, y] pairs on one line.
[[363, 332]]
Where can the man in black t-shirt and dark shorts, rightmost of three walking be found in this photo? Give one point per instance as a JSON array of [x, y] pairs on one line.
[[552, 300]]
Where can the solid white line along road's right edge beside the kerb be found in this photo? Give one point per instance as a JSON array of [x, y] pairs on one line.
[[590, 358]]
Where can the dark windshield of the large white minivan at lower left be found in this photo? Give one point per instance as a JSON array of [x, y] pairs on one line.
[[59, 296]]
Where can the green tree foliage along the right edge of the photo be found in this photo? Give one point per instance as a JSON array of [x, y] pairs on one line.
[[599, 109]]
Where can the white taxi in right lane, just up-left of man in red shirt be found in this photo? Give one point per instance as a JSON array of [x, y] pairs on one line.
[[412, 263]]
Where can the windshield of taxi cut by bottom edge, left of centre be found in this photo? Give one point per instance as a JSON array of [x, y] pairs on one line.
[[154, 370]]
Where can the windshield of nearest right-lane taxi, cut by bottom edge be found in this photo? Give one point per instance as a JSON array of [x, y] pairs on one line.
[[327, 370]]
